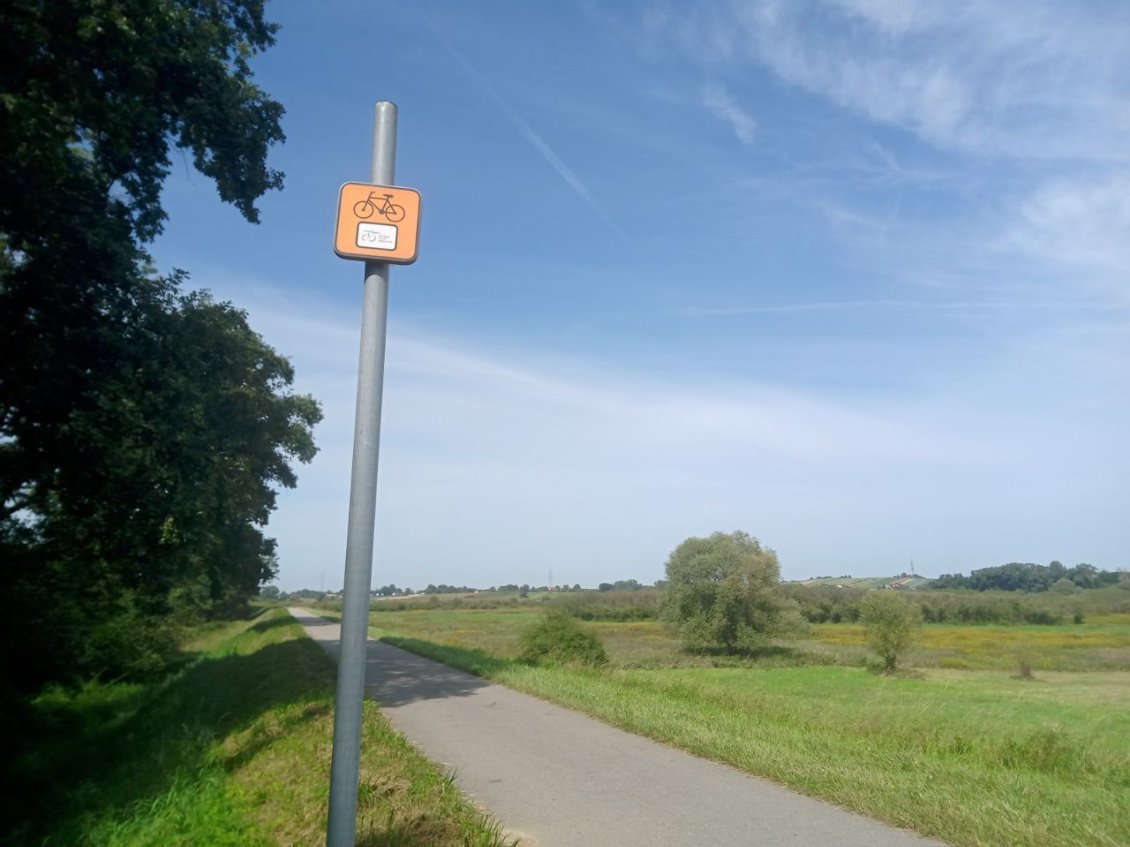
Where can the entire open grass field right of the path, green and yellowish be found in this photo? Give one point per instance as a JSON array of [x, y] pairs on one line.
[[959, 748]]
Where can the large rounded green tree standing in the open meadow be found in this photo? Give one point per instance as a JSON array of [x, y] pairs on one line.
[[724, 592]]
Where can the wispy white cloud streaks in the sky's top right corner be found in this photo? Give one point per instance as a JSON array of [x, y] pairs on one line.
[[1033, 80]]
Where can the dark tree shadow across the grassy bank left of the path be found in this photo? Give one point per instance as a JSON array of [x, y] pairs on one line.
[[107, 769]]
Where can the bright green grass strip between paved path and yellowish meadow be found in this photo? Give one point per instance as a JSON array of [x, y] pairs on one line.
[[975, 759]]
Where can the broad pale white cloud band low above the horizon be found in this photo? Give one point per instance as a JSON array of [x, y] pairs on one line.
[[500, 464]]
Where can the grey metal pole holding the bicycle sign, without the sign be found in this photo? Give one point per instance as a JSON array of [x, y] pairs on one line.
[[342, 831]]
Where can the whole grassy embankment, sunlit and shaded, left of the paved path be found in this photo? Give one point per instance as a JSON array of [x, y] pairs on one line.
[[234, 749]]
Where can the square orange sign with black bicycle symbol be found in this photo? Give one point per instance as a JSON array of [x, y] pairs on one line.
[[378, 223]]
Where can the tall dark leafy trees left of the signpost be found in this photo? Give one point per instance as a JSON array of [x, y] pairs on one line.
[[143, 432]]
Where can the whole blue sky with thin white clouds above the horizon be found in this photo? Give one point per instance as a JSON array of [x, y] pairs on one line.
[[853, 276]]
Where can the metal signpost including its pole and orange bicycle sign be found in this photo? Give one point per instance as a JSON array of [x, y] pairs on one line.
[[379, 224]]
